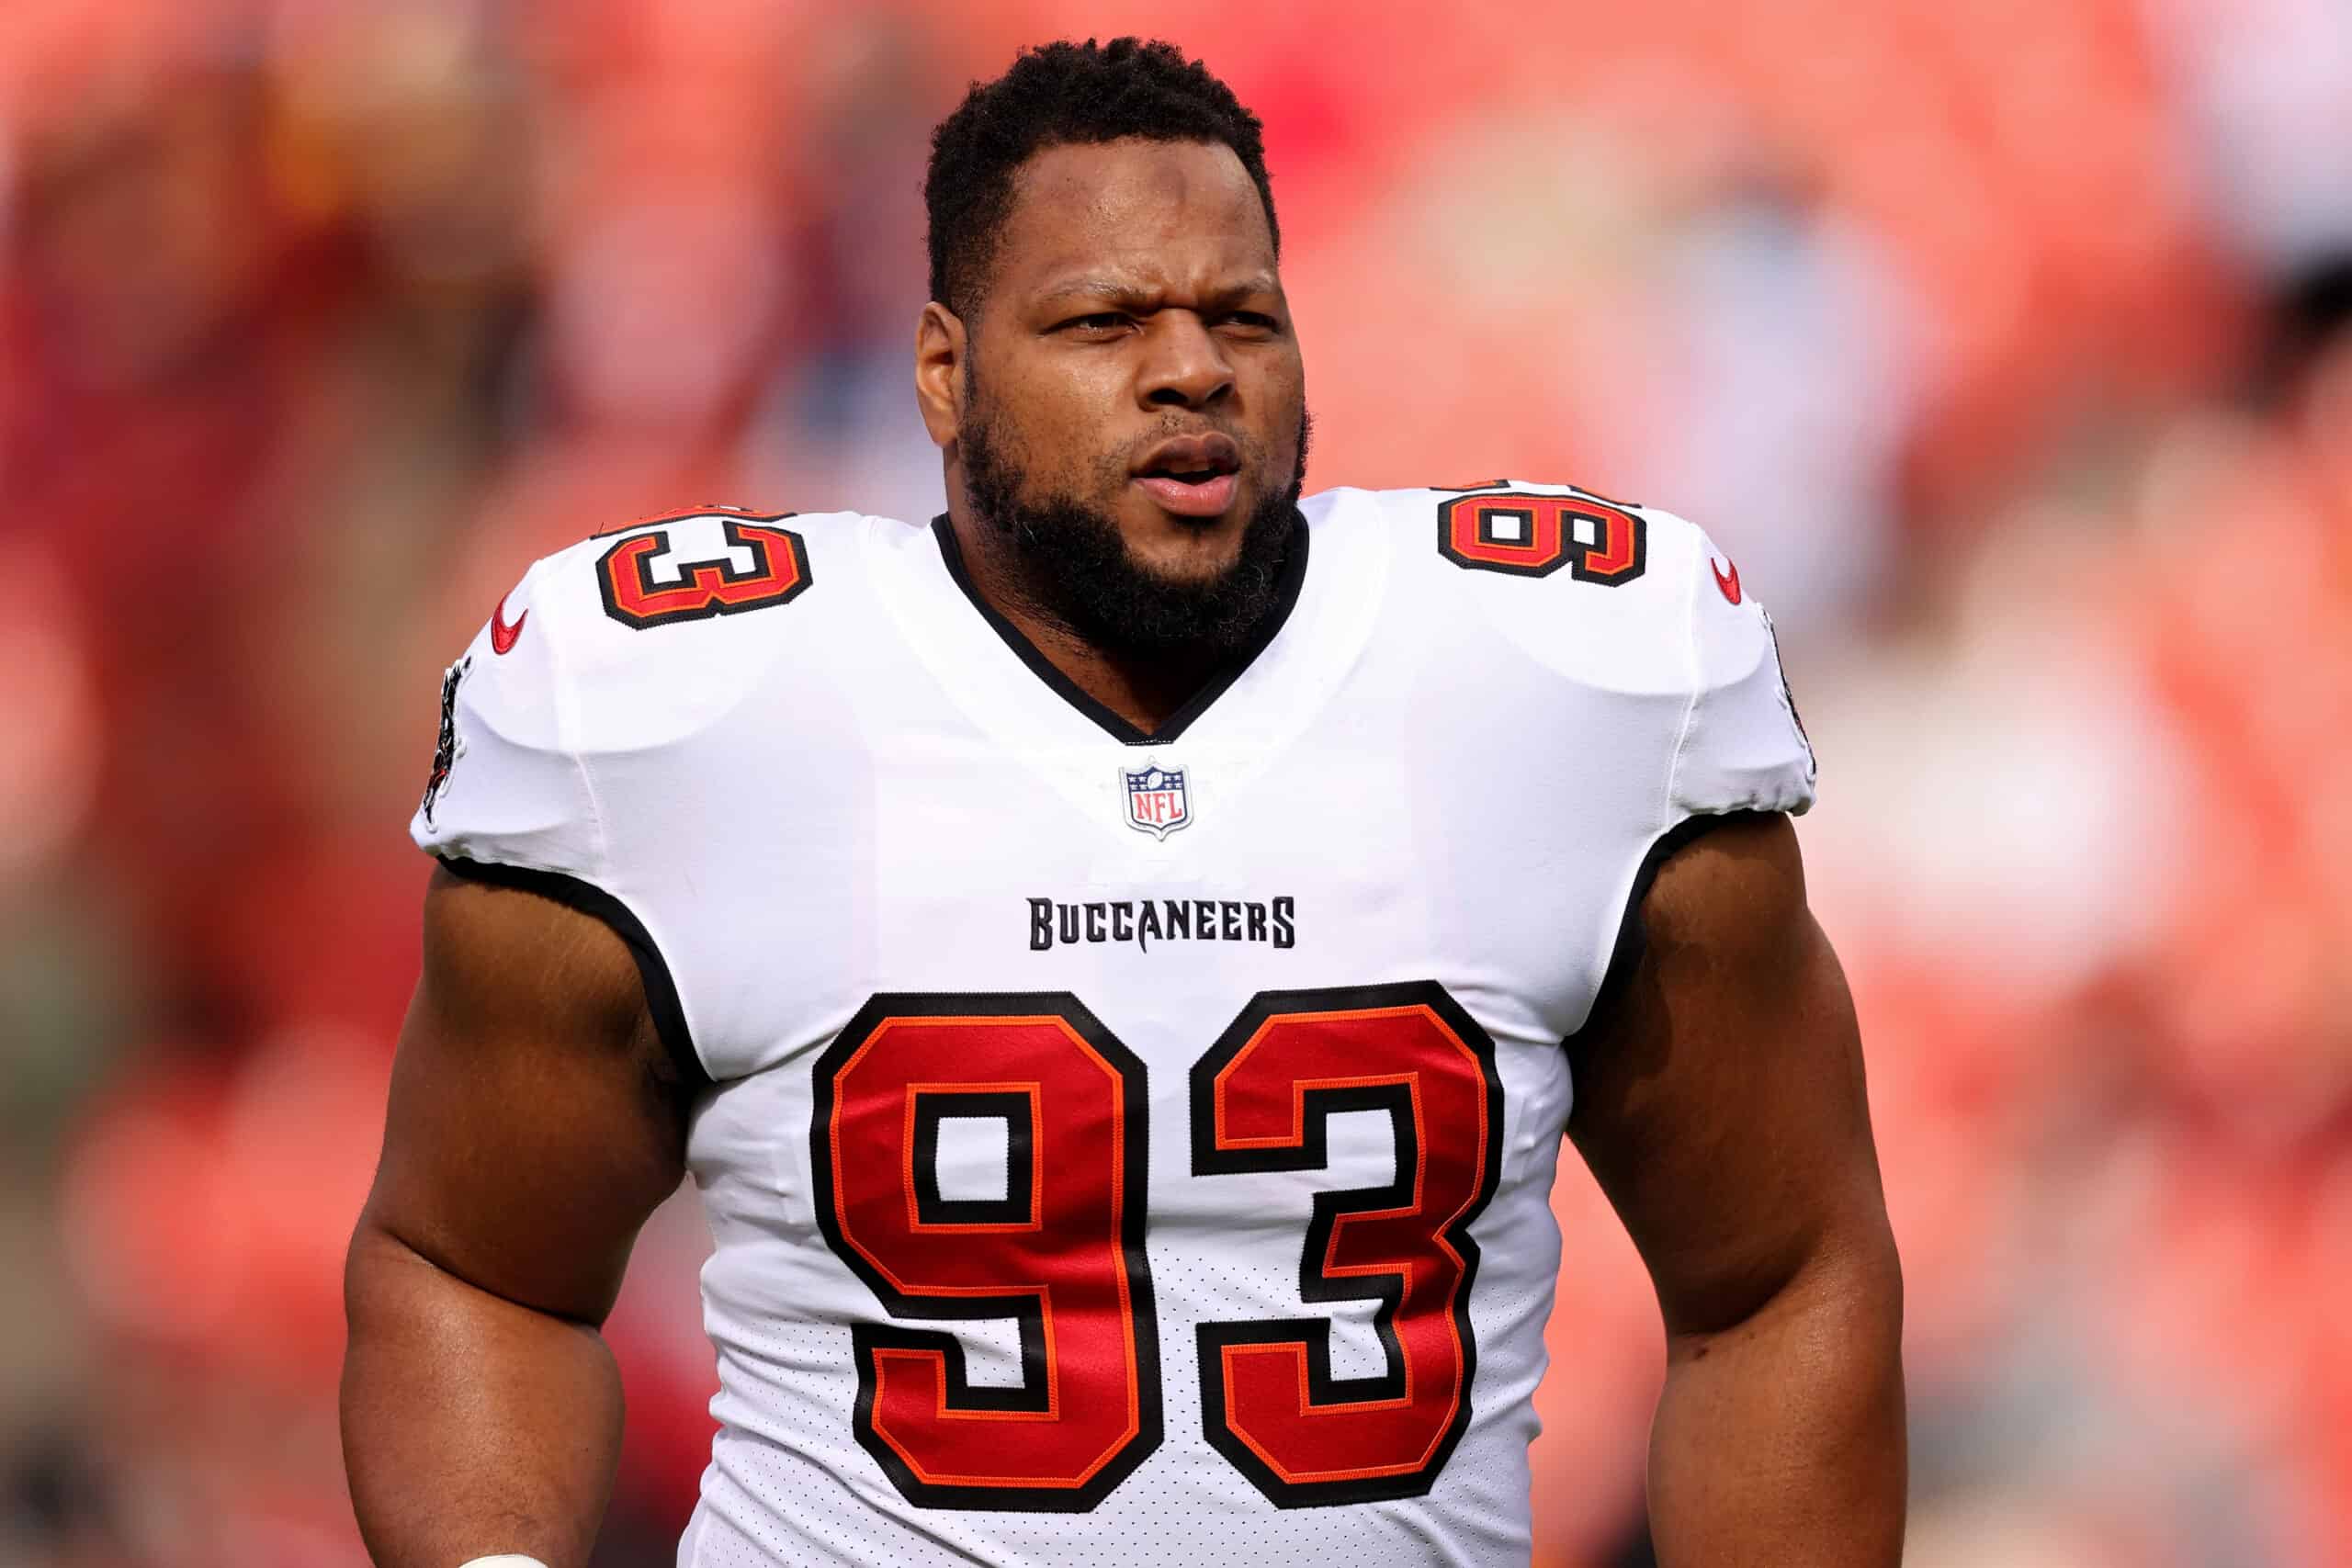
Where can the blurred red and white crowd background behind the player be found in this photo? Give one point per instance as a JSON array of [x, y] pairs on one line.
[[2007, 347]]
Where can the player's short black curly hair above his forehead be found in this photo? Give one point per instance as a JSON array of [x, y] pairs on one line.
[[1062, 95]]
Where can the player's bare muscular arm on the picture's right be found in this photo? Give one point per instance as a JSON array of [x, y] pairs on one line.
[[1720, 1106]]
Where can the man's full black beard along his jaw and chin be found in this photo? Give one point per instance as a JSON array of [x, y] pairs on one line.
[[1071, 563]]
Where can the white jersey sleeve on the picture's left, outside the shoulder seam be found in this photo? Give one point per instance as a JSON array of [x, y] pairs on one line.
[[507, 784]]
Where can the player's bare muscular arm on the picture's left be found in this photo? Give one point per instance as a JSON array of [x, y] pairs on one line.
[[535, 1125]]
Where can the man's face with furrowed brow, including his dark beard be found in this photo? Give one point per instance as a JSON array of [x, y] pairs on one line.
[[1135, 403]]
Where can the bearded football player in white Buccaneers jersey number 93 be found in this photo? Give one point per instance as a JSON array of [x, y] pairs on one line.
[[1121, 965]]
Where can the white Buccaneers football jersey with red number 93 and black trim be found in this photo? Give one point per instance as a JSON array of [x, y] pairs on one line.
[[1121, 1148]]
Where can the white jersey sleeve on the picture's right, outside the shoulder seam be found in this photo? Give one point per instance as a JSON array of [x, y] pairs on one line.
[[1742, 742]]
